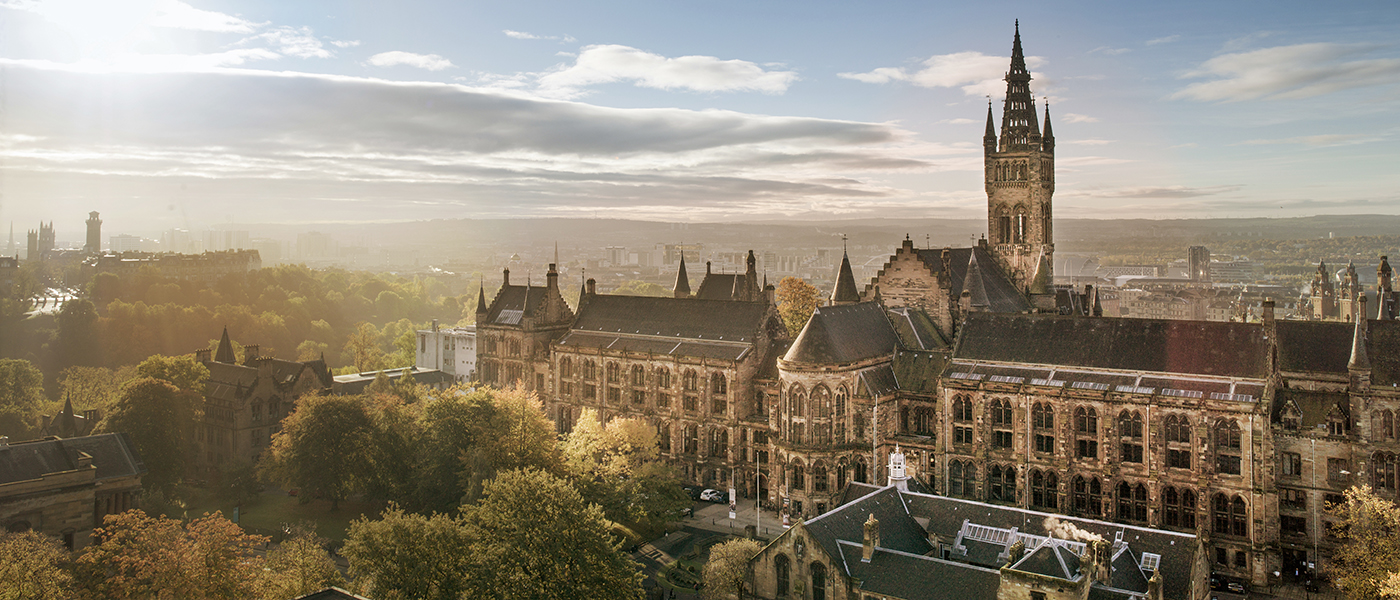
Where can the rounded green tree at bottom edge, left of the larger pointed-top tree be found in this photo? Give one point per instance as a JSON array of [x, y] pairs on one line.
[[405, 556]]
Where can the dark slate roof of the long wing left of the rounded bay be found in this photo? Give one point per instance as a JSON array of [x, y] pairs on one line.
[[668, 327]]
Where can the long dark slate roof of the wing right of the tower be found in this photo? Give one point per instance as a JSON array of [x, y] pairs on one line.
[[1193, 348]]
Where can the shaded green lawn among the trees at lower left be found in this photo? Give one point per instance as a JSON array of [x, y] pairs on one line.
[[269, 511]]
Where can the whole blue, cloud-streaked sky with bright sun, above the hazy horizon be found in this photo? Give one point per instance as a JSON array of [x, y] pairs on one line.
[[197, 114]]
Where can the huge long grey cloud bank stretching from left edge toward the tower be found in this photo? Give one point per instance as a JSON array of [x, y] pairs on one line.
[[304, 146]]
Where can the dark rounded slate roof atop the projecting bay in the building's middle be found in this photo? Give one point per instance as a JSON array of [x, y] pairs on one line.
[[842, 335]]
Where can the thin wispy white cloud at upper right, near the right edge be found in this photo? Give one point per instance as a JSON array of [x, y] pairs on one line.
[[1290, 72]]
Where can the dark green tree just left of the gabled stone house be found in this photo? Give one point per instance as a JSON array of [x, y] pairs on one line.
[[159, 417]]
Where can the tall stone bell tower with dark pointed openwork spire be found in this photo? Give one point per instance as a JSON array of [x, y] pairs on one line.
[[1020, 177]]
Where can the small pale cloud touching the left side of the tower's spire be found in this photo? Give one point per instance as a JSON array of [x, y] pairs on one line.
[[974, 72]]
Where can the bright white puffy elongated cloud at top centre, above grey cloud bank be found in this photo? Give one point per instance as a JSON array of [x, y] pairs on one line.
[[611, 64]]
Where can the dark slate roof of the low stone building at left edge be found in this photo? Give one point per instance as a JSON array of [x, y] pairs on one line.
[[113, 455]]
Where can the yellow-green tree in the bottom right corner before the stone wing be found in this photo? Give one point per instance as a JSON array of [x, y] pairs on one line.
[[1370, 555]]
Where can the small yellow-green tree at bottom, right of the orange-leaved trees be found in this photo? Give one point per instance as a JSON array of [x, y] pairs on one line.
[[297, 567]]
